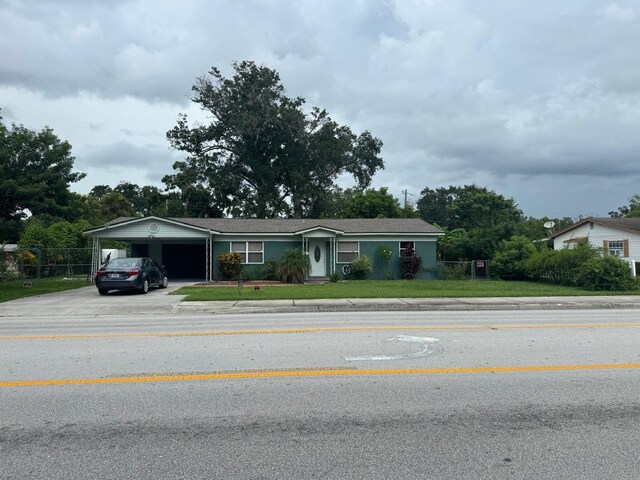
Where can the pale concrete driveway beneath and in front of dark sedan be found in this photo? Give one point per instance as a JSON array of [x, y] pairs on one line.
[[87, 301]]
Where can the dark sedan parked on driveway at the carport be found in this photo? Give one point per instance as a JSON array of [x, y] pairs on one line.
[[131, 274]]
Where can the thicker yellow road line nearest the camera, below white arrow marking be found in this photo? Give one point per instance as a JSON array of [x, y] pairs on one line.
[[311, 373]]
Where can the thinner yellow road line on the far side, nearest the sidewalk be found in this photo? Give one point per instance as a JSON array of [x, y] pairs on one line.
[[314, 330]]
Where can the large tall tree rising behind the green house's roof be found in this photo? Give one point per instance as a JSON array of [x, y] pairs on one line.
[[261, 155]]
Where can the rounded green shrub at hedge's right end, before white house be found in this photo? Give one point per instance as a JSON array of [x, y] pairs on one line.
[[605, 273]]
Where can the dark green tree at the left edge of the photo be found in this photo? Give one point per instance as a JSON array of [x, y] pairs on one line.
[[36, 169]]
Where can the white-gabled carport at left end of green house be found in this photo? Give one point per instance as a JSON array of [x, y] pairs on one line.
[[185, 250]]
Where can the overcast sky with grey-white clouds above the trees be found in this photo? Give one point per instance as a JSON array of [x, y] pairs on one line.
[[537, 100]]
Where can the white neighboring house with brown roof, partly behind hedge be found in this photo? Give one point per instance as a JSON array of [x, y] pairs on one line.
[[615, 236]]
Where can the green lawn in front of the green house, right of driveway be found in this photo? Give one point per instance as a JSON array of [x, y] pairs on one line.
[[386, 289]]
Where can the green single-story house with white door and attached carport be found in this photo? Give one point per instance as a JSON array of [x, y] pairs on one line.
[[189, 247]]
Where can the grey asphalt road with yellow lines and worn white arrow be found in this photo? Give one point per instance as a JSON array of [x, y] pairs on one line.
[[537, 394]]
